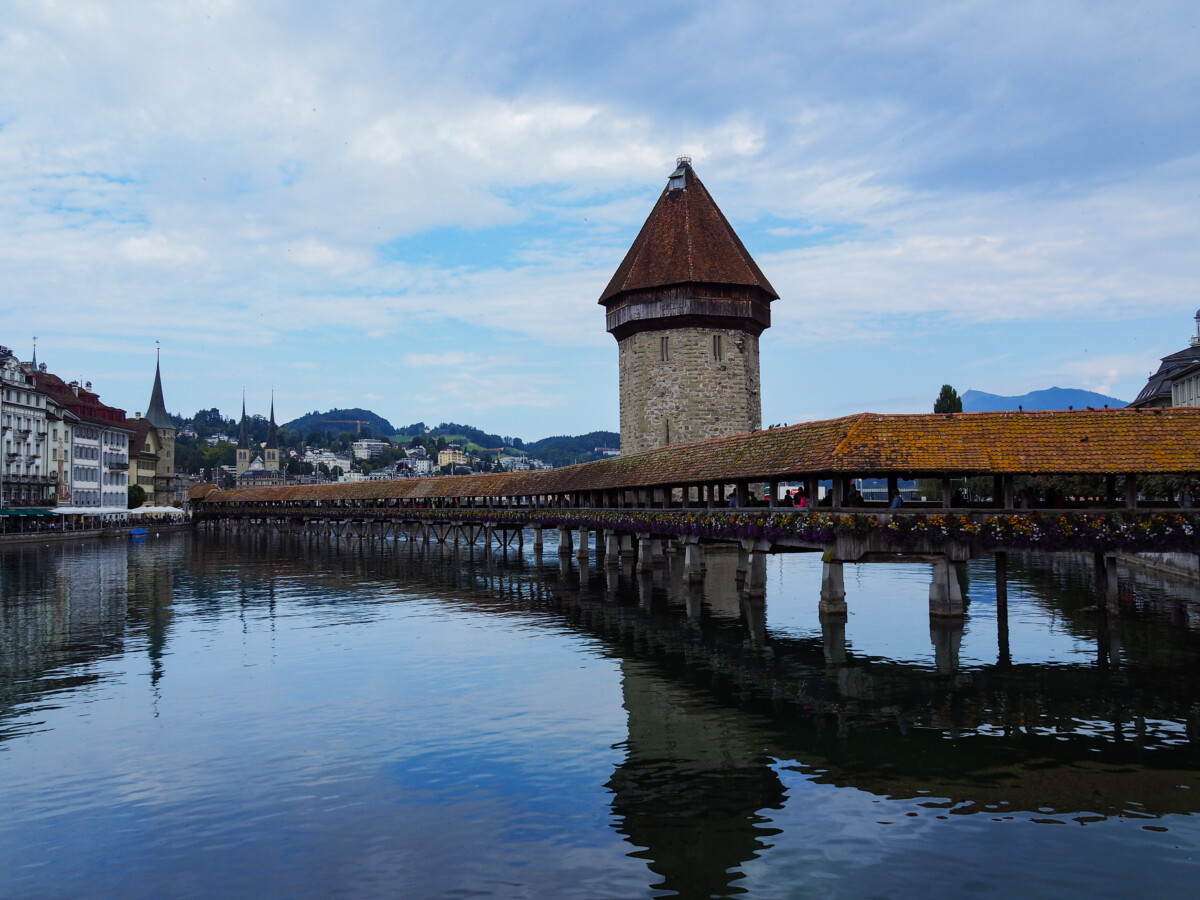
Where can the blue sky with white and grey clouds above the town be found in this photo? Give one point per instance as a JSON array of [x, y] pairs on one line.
[[415, 208]]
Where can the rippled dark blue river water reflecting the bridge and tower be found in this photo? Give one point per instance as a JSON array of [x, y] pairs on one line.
[[191, 716]]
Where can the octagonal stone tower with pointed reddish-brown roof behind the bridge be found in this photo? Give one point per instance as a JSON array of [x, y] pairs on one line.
[[687, 308]]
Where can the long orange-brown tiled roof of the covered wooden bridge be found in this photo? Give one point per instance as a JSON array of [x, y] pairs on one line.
[[1083, 442]]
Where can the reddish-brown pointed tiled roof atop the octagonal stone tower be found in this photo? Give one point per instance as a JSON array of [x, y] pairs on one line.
[[687, 239]]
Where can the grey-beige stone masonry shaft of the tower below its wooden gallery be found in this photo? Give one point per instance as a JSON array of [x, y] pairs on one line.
[[692, 395]]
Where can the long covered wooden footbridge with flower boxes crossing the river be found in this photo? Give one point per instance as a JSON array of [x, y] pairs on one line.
[[685, 497]]
